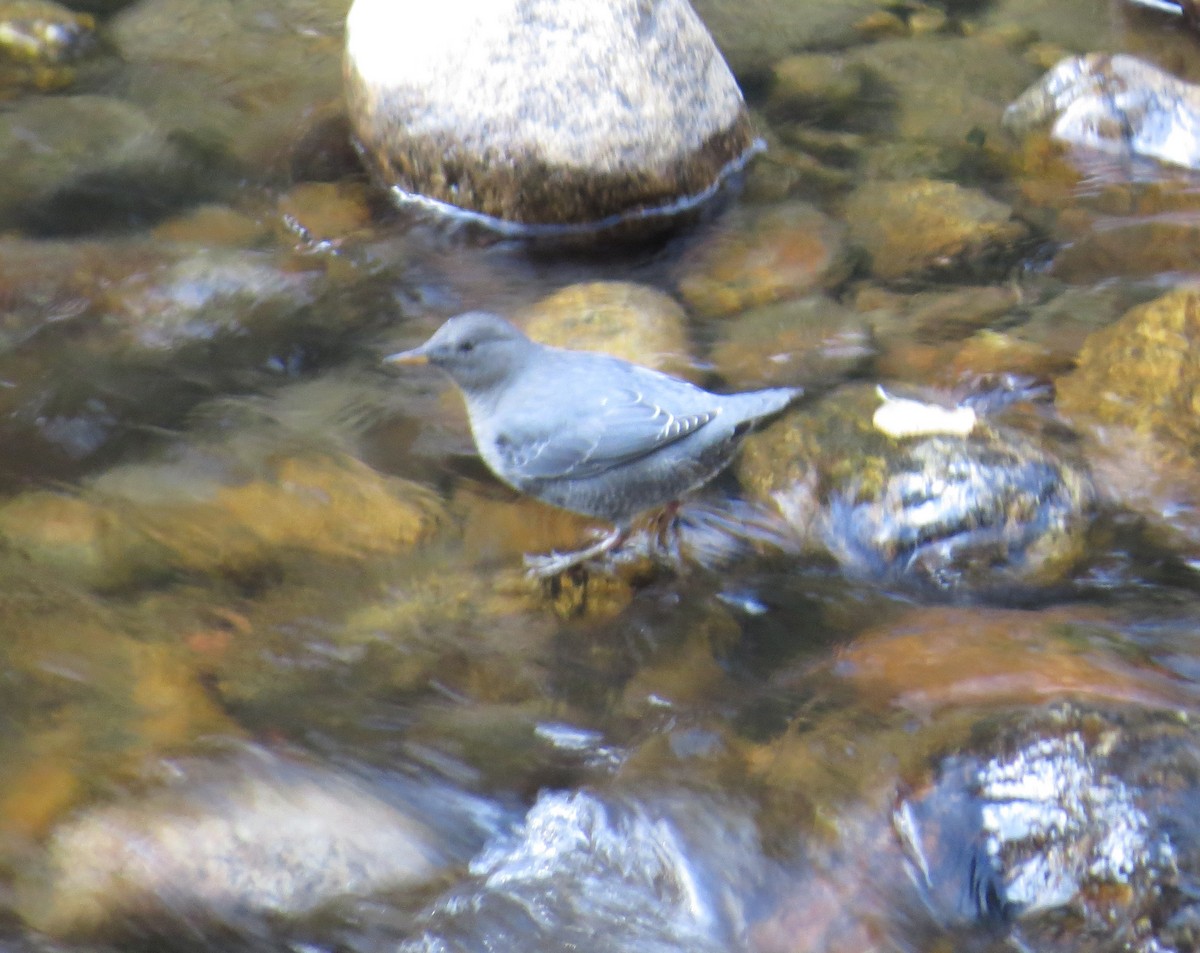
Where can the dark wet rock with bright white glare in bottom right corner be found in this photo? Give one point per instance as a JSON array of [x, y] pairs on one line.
[[1072, 825]]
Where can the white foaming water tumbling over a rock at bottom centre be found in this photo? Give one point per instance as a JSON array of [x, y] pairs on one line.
[[607, 873]]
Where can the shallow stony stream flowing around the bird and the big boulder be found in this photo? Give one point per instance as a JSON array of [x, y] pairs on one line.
[[274, 678]]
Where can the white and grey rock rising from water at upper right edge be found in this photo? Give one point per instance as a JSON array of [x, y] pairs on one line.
[[1117, 105]]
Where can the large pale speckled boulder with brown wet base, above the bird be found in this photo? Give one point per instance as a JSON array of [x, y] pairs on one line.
[[535, 112]]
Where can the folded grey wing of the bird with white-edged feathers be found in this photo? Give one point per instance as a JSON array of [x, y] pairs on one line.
[[610, 430]]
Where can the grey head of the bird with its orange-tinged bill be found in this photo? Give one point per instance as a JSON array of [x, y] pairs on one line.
[[478, 350]]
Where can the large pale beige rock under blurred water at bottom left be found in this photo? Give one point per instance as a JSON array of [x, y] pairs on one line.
[[224, 846]]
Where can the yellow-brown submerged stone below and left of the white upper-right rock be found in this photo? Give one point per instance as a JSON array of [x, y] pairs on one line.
[[925, 227]]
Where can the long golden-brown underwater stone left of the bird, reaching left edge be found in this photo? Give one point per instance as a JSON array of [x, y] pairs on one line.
[[321, 506]]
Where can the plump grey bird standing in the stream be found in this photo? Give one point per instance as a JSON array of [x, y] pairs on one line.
[[585, 431]]
